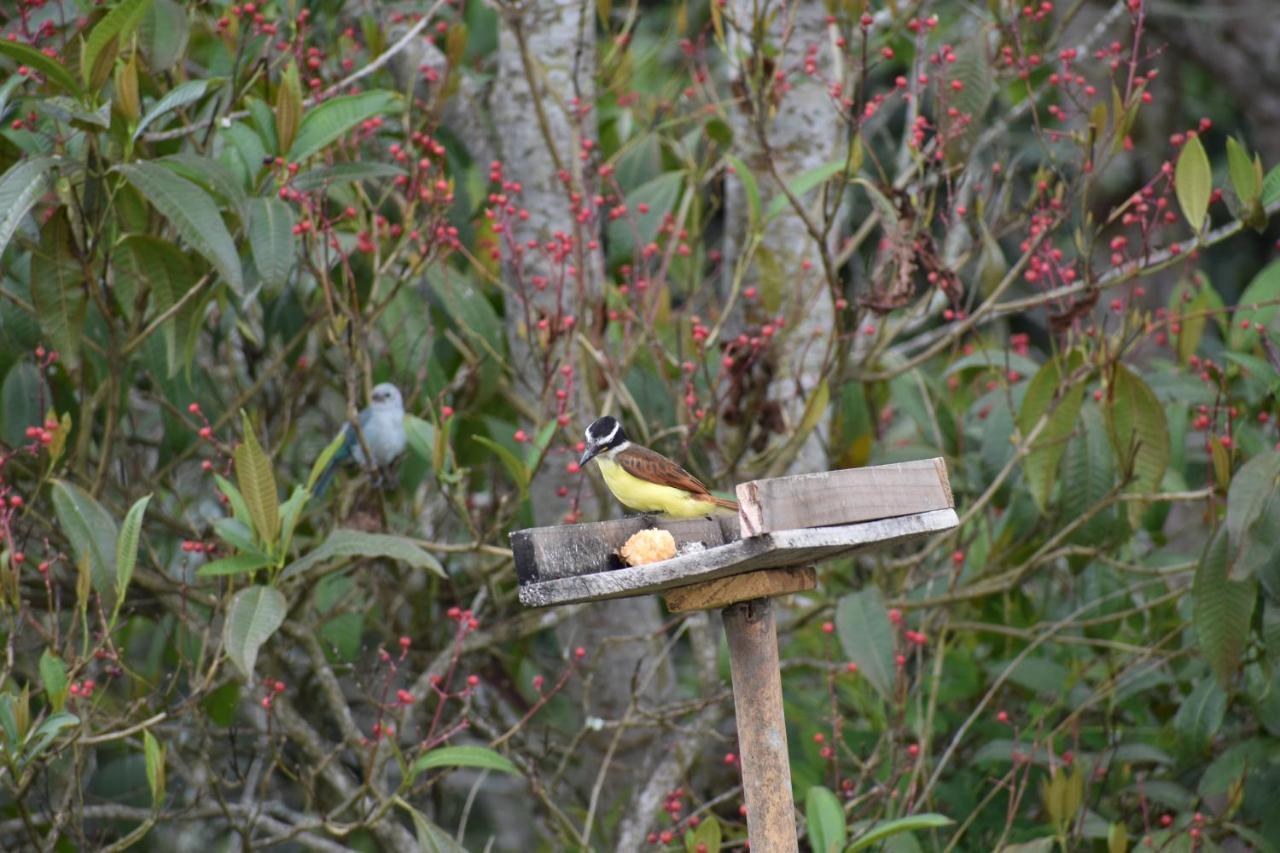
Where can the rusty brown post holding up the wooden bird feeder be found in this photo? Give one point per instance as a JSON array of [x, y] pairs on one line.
[[762, 732]]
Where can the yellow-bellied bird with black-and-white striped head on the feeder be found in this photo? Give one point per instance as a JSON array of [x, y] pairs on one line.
[[646, 481]]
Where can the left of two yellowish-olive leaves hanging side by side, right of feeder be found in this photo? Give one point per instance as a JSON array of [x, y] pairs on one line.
[[1052, 391]]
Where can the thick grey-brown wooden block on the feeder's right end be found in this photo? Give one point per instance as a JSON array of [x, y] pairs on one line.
[[844, 498]]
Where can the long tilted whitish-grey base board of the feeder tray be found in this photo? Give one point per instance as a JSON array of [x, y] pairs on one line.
[[771, 551]]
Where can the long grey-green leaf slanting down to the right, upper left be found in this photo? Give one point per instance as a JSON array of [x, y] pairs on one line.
[[193, 213]]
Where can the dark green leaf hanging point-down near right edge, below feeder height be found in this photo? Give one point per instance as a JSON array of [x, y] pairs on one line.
[[1223, 609]]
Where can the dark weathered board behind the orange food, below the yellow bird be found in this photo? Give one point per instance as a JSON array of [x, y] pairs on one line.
[[563, 551]]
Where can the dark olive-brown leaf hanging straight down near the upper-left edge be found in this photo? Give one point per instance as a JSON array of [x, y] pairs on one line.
[[58, 289]]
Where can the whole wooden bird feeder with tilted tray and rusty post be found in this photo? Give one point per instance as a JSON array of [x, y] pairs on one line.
[[740, 564]]
